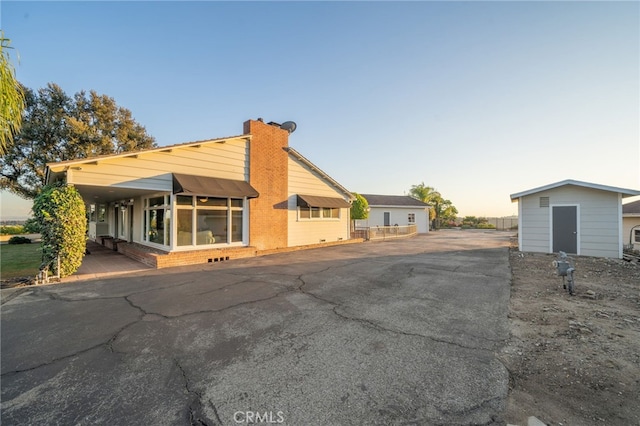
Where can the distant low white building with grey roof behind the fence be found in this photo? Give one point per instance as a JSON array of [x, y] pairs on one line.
[[401, 210]]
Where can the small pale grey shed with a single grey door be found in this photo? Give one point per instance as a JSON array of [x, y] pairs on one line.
[[572, 216]]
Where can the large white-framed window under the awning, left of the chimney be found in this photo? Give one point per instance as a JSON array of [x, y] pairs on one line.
[[209, 220]]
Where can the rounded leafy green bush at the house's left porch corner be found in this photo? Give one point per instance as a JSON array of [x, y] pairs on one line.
[[60, 211]]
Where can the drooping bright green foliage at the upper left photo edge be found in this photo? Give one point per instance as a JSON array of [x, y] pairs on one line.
[[11, 97]]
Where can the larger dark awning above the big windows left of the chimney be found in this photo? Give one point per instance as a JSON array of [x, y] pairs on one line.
[[212, 187]]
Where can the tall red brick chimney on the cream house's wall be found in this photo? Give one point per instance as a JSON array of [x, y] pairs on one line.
[[268, 174]]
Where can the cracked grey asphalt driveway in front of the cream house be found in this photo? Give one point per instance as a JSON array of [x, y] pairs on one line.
[[386, 333]]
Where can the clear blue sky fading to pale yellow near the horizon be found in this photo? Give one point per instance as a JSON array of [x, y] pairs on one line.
[[478, 100]]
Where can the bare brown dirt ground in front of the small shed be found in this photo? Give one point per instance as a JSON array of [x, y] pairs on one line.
[[574, 360]]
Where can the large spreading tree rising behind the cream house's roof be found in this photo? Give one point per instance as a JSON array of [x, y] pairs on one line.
[[57, 127]]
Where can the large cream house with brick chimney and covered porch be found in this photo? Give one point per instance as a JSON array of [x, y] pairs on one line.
[[210, 200]]
